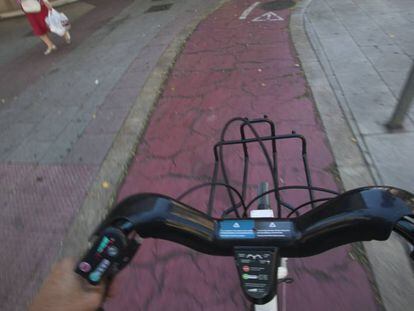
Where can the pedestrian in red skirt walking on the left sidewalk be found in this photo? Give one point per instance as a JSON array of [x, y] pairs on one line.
[[36, 12]]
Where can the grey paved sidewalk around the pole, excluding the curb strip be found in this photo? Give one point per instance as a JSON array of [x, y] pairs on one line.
[[367, 49]]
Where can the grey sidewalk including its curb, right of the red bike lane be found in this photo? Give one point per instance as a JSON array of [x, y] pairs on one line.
[[356, 63]]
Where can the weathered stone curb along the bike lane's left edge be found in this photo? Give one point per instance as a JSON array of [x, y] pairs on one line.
[[115, 166]]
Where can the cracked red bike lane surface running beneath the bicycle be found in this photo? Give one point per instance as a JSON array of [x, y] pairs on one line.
[[231, 68]]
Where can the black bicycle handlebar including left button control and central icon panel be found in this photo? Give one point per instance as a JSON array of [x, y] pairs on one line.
[[362, 214]]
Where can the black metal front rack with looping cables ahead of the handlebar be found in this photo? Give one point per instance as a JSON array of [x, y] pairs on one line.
[[238, 198]]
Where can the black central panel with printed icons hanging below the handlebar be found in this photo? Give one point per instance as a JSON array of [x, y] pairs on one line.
[[257, 268]]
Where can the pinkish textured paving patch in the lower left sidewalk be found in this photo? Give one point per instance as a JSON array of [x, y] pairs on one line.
[[37, 205]]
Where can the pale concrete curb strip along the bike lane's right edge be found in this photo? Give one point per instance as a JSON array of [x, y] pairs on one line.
[[384, 258]]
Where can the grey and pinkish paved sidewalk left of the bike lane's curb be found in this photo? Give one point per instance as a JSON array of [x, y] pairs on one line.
[[59, 116]]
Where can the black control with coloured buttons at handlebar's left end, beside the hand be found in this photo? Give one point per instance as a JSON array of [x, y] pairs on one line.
[[105, 257]]
